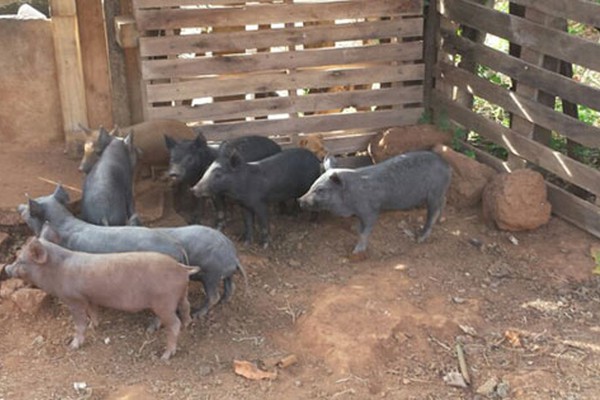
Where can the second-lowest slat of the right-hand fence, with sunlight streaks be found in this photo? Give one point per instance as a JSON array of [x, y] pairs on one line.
[[553, 161]]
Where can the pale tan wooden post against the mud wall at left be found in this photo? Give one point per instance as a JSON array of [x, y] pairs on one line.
[[69, 70]]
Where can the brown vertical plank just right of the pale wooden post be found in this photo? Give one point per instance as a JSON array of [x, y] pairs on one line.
[[95, 62]]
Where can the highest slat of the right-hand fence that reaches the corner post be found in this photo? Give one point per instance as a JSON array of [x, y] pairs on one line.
[[549, 41]]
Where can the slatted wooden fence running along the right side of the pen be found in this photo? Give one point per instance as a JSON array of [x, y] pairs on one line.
[[539, 64]]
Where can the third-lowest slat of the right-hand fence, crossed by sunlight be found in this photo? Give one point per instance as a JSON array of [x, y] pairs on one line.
[[530, 110]]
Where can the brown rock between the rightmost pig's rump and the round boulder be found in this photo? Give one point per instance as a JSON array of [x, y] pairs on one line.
[[469, 177]]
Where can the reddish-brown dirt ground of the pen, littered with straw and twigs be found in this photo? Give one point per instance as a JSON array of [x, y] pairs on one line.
[[523, 307]]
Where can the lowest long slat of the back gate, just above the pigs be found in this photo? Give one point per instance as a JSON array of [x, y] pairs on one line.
[[311, 124]]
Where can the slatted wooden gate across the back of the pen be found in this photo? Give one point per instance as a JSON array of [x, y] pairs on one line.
[[346, 69]]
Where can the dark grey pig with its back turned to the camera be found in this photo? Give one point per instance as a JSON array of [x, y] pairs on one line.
[[107, 197]]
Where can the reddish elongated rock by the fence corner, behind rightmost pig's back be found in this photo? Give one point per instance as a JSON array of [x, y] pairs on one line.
[[403, 139]]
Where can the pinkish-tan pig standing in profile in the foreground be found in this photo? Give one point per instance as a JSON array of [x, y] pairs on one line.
[[130, 282]]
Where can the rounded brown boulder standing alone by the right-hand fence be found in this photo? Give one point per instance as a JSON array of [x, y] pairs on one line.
[[516, 201]]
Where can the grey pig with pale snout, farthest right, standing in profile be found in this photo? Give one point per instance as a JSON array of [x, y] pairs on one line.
[[399, 183]]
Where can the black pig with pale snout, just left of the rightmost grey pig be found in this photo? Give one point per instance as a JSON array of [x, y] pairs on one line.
[[283, 176]]
